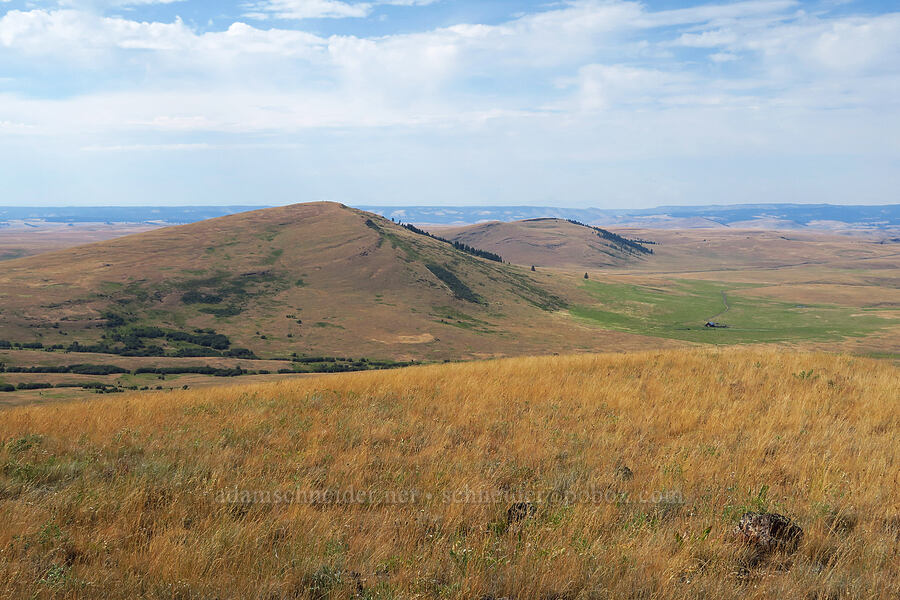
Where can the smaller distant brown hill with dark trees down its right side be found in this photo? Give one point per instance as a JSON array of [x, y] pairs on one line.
[[548, 243]]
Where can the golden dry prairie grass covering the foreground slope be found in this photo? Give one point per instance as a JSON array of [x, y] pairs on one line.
[[174, 495]]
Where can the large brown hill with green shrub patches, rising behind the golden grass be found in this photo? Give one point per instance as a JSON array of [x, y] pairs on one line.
[[316, 278]]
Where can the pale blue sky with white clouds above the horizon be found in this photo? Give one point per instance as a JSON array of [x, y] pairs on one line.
[[580, 103]]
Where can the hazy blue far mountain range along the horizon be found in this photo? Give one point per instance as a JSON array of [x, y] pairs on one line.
[[754, 216]]
